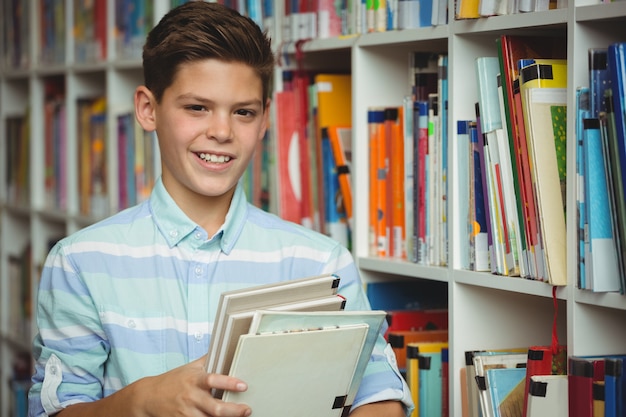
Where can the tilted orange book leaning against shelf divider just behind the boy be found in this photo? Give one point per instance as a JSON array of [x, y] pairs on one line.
[[341, 144]]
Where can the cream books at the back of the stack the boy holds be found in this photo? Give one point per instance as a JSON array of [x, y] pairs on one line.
[[233, 305]]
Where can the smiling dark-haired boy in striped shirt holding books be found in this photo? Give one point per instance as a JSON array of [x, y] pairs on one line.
[[126, 306]]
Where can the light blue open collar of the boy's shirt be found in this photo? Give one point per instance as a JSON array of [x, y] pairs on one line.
[[175, 226]]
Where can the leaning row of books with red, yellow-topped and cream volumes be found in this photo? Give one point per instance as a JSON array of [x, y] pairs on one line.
[[512, 160]]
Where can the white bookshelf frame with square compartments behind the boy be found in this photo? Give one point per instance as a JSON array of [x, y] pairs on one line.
[[486, 311]]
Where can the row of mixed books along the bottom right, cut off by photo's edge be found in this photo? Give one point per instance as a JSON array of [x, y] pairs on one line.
[[541, 381]]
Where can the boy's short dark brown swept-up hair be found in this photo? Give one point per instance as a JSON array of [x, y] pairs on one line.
[[199, 30]]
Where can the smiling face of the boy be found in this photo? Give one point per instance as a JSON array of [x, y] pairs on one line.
[[209, 123]]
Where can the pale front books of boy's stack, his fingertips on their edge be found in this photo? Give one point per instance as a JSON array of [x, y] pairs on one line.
[[286, 376]]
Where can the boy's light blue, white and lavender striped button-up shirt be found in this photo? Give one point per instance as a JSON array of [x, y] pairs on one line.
[[135, 295]]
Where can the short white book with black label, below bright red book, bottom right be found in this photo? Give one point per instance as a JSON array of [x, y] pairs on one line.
[[548, 396]]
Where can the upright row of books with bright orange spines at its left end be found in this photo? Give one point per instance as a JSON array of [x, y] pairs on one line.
[[408, 182]]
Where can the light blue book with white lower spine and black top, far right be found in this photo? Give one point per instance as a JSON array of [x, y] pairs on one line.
[[601, 258]]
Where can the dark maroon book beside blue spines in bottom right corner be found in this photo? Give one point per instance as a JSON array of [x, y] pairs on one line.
[[583, 371]]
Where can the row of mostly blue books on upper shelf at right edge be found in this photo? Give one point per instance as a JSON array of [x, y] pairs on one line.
[[601, 171]]
